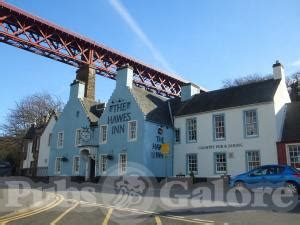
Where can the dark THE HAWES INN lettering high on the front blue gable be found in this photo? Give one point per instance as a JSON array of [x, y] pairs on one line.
[[120, 116]]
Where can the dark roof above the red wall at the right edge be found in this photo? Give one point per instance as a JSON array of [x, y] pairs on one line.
[[291, 127]]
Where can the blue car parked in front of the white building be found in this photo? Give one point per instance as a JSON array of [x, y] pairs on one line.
[[269, 176]]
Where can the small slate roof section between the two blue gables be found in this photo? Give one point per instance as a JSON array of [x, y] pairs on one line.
[[92, 109]]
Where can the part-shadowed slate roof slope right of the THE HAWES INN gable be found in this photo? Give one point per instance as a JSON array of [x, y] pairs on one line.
[[154, 107]]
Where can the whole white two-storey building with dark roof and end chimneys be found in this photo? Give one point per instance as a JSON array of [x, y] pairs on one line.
[[232, 130]]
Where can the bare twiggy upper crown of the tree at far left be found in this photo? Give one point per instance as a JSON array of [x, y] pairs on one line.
[[30, 110]]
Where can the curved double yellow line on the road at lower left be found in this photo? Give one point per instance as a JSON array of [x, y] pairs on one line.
[[58, 200]]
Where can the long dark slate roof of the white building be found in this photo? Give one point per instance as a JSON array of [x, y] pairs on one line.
[[258, 92]]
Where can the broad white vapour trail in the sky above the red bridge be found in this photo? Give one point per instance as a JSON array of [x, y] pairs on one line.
[[123, 12]]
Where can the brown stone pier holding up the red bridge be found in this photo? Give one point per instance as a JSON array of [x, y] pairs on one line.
[[87, 75]]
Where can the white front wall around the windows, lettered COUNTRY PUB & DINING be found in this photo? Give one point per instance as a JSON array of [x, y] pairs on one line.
[[234, 125]]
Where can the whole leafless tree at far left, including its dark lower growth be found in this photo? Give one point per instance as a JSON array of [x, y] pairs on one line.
[[30, 110]]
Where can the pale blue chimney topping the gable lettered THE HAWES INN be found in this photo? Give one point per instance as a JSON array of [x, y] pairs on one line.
[[125, 76]]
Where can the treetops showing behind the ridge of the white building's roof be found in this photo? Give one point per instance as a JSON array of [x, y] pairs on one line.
[[252, 78]]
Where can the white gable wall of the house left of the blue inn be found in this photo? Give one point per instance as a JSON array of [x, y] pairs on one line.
[[44, 150]]
